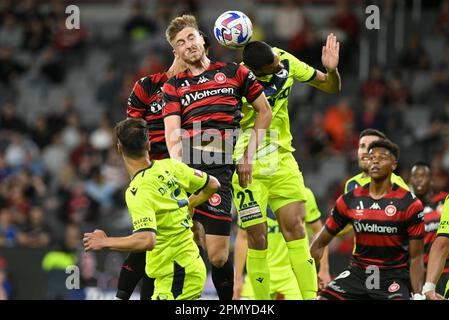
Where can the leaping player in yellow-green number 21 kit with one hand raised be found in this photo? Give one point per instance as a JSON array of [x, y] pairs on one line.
[[277, 180]]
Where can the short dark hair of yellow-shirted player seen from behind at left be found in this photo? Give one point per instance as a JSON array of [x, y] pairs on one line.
[[132, 133]]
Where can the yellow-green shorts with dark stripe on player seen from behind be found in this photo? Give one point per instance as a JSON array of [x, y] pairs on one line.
[[185, 283]]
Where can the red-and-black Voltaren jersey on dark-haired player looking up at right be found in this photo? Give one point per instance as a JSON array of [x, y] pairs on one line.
[[382, 227]]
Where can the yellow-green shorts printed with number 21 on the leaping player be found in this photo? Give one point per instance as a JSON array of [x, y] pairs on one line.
[[277, 181]]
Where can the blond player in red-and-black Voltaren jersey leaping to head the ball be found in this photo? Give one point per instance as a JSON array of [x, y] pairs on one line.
[[205, 101]]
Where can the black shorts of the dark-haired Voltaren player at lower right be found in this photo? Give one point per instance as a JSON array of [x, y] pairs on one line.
[[357, 283]]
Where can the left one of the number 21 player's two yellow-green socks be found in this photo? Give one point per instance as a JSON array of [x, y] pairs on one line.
[[258, 273]]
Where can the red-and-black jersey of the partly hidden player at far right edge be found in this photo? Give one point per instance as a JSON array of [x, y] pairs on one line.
[[432, 215]]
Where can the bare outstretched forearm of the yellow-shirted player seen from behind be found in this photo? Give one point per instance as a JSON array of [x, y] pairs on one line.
[[133, 243]]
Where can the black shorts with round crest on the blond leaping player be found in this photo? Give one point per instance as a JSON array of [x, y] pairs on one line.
[[215, 214]]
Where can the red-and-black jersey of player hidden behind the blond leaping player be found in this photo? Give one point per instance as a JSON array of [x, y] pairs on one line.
[[146, 102]]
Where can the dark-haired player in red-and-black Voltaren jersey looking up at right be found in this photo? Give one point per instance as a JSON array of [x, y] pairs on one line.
[[388, 227]]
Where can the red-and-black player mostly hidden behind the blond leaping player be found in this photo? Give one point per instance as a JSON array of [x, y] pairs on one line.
[[145, 101]]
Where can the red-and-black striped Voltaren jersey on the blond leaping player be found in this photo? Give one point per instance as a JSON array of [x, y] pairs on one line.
[[212, 100]]
